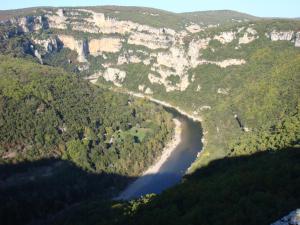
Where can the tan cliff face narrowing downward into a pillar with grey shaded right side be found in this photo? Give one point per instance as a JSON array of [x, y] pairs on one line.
[[80, 46]]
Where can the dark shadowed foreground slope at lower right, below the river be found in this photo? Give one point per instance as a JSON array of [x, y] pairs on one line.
[[249, 190]]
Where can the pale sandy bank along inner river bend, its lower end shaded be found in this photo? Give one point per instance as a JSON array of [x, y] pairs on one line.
[[154, 169]]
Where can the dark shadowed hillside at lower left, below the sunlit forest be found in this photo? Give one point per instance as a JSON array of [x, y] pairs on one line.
[[33, 191]]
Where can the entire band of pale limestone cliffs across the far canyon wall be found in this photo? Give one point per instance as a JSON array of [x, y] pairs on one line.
[[167, 55]]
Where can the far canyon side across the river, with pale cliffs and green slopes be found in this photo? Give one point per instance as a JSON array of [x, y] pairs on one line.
[[224, 70]]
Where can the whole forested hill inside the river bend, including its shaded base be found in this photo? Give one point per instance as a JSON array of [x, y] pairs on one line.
[[46, 113]]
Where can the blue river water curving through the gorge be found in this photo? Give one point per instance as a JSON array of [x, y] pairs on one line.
[[174, 168]]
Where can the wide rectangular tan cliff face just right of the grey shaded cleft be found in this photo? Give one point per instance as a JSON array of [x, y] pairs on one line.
[[98, 46]]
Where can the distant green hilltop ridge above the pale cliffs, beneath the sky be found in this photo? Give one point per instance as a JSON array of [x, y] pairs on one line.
[[149, 16]]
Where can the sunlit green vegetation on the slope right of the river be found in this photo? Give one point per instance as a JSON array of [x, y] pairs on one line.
[[263, 92]]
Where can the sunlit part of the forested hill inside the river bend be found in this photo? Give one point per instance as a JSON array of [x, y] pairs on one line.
[[46, 112]]
